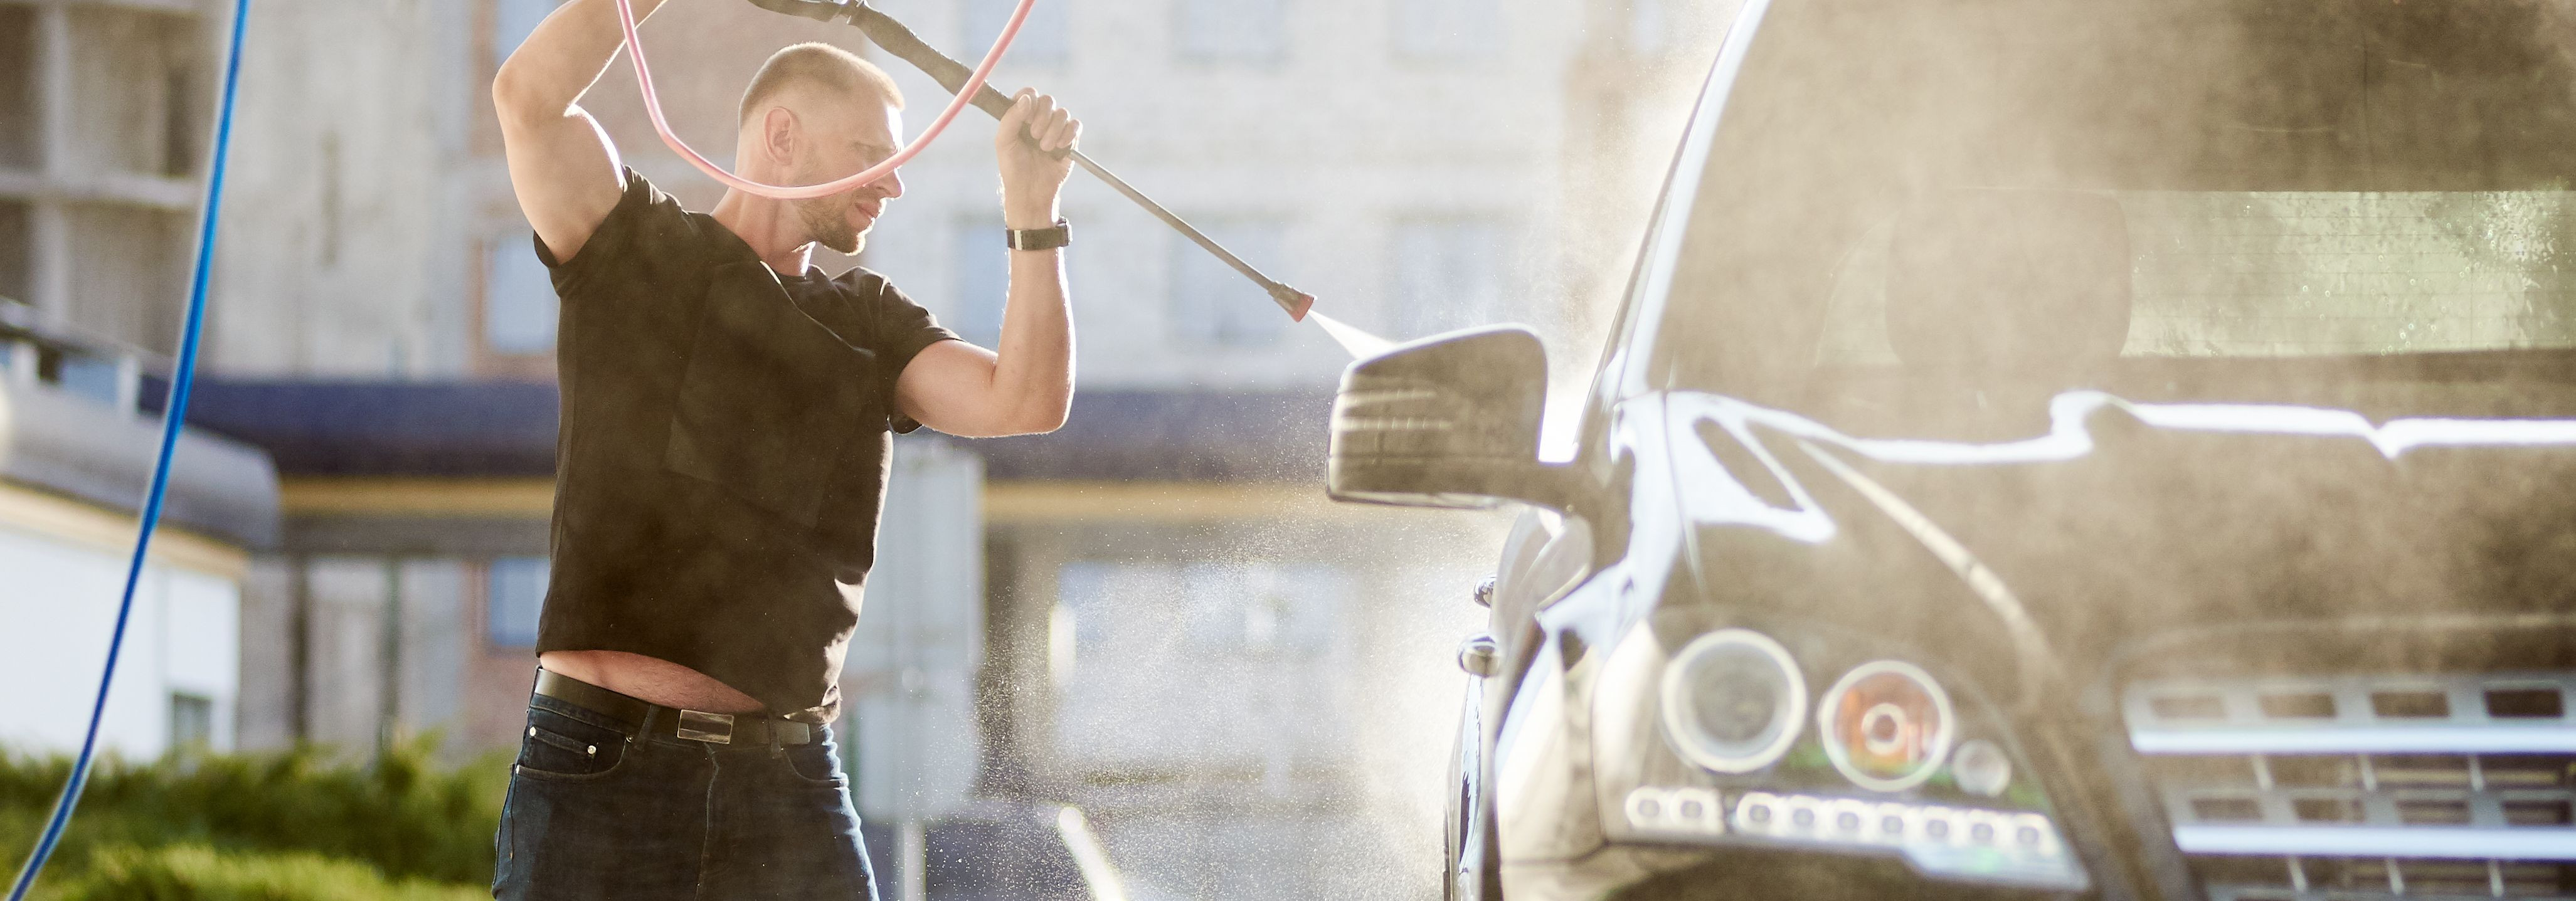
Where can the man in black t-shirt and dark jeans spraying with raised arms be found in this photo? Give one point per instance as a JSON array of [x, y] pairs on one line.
[[720, 470]]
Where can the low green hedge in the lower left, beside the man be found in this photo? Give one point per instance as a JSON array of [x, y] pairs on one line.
[[256, 825]]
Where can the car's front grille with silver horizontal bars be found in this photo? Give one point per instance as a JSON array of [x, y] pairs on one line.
[[2397, 786]]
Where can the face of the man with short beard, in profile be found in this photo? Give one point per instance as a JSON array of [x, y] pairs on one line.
[[841, 140]]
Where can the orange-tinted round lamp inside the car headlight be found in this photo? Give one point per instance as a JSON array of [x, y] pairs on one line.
[[1887, 725]]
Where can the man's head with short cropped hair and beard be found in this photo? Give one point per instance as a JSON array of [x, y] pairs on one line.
[[815, 115]]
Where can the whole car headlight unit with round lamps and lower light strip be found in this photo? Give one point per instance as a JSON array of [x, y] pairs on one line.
[[1889, 763]]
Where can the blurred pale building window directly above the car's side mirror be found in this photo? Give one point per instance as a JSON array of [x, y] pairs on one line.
[[1449, 274]]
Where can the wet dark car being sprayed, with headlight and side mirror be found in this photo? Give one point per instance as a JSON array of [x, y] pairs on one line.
[[2049, 449]]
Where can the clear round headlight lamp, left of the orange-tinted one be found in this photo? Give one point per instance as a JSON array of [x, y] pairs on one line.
[[1732, 701]]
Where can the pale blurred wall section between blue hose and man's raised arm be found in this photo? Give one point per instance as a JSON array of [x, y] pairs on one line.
[[349, 225]]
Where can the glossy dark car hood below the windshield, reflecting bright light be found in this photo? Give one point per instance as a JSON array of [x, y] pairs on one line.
[[2132, 519]]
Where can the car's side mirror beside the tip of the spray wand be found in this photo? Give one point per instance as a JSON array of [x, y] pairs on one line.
[[1449, 421]]
